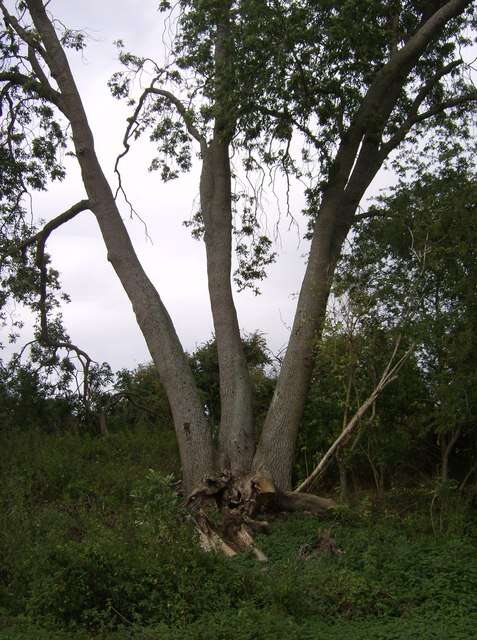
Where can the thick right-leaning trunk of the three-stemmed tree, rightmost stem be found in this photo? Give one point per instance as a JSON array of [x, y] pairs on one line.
[[361, 154]]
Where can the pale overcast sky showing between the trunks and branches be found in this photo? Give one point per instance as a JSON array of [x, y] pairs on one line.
[[99, 317]]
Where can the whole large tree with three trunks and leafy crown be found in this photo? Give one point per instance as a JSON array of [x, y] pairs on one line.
[[347, 81]]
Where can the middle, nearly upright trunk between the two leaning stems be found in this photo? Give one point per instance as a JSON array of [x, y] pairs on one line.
[[237, 438]]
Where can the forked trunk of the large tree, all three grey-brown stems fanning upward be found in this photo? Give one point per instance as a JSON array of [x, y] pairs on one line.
[[360, 156]]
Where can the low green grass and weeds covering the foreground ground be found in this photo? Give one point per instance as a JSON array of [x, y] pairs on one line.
[[93, 545]]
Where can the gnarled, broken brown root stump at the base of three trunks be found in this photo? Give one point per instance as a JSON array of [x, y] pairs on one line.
[[225, 511]]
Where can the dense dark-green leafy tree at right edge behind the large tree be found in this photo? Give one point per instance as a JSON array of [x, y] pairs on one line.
[[414, 263]]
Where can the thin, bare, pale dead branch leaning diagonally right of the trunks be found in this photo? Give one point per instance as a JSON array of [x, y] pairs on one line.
[[389, 375]]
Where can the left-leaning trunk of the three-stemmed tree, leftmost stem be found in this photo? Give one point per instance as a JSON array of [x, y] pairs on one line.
[[192, 430]]
